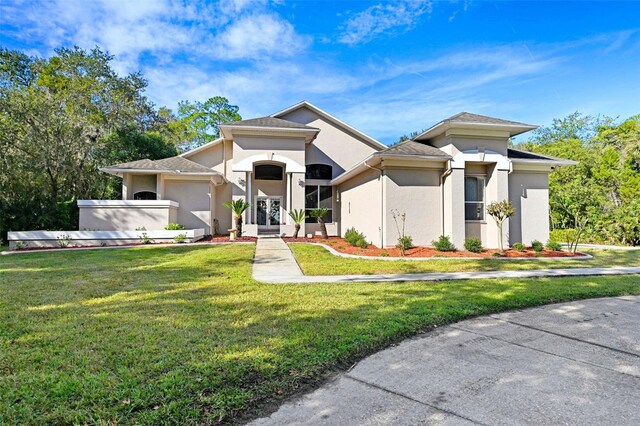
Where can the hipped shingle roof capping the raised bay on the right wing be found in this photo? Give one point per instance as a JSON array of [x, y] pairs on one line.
[[475, 121]]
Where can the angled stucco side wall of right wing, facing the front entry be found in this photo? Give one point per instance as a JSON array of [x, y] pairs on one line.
[[361, 205]]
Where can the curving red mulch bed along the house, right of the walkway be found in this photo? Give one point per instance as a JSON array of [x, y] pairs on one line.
[[340, 245]]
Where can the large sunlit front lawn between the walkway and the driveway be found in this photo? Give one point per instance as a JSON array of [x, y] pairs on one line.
[[183, 335]]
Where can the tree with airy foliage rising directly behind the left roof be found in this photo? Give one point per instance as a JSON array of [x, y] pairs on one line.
[[198, 121]]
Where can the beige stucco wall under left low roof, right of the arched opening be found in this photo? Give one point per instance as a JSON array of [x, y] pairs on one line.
[[194, 198]]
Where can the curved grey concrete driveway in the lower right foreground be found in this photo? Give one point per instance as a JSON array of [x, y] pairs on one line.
[[571, 363]]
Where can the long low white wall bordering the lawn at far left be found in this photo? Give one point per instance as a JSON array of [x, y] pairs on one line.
[[33, 239]]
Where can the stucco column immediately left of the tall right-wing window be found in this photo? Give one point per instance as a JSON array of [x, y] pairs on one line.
[[453, 208]]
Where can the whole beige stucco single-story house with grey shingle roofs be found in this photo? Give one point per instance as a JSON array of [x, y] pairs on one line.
[[303, 158]]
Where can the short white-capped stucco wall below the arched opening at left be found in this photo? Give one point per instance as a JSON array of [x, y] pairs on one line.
[[123, 215]]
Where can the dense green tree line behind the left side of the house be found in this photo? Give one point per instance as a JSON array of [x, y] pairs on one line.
[[63, 117]]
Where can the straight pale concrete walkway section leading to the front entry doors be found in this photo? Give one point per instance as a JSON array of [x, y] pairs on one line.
[[274, 260]]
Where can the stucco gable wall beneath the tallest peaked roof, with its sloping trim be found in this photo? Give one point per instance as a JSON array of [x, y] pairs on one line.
[[333, 145]]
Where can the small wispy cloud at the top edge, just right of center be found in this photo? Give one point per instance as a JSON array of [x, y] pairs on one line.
[[383, 17]]
